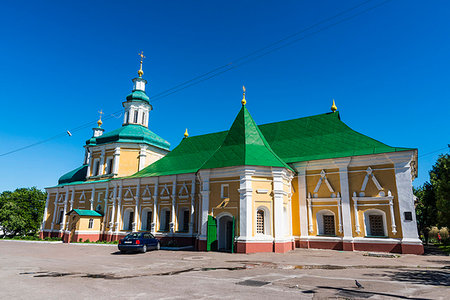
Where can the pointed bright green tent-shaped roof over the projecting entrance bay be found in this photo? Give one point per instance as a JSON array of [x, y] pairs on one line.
[[244, 145]]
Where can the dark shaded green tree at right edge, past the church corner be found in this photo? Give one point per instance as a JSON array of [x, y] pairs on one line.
[[440, 180]]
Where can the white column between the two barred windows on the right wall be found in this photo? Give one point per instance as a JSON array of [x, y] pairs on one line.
[[342, 164]]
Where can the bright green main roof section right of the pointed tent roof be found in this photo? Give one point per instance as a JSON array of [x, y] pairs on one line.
[[320, 137]]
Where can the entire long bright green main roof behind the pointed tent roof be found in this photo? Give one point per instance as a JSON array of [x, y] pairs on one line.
[[309, 138]]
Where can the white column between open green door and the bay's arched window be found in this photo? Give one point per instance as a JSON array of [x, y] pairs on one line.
[[245, 205]]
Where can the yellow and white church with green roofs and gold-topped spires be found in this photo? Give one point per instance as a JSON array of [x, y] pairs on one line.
[[310, 182]]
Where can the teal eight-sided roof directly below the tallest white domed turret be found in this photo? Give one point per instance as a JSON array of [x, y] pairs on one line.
[[131, 133]]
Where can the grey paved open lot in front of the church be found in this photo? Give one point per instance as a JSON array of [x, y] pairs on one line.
[[74, 271]]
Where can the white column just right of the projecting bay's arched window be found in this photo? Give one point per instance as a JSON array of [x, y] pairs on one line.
[[278, 193]]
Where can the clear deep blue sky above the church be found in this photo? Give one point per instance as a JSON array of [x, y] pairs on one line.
[[61, 62]]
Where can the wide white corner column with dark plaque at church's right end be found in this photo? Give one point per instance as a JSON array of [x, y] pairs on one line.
[[403, 181]]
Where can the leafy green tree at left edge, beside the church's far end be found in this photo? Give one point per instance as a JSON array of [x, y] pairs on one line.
[[21, 211]]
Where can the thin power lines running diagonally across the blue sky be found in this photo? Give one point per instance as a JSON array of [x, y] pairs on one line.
[[234, 64]]
